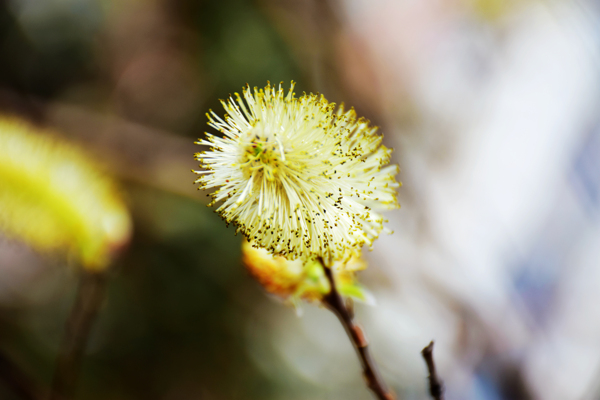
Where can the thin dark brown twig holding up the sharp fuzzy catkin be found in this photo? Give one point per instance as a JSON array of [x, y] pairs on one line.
[[334, 301]]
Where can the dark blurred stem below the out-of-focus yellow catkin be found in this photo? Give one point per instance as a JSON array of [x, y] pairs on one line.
[[90, 295]]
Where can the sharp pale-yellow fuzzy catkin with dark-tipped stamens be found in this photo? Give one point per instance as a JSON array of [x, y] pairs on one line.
[[297, 176]]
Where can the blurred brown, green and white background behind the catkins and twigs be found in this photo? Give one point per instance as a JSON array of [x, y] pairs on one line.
[[492, 108]]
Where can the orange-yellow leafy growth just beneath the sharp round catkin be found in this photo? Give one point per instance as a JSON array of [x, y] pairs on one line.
[[296, 280]]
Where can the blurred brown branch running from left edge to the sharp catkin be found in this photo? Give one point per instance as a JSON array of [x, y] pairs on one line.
[[128, 150]]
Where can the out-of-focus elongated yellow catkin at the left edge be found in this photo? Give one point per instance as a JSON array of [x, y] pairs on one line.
[[55, 200]]
